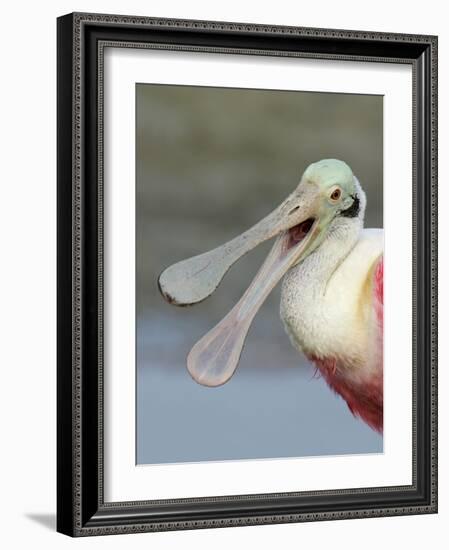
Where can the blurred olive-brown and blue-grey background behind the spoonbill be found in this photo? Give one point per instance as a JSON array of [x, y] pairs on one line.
[[210, 163]]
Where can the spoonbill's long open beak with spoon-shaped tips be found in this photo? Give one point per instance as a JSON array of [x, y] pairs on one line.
[[296, 223]]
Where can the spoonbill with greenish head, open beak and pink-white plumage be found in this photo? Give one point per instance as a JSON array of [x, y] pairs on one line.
[[331, 303]]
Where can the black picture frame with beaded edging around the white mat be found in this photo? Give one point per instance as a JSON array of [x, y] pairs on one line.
[[81, 509]]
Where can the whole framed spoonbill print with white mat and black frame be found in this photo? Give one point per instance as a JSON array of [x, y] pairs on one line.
[[281, 182]]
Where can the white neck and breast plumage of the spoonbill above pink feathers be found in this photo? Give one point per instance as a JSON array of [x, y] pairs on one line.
[[320, 304]]
